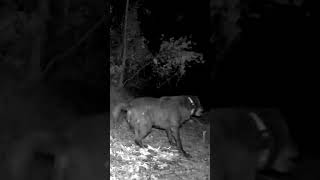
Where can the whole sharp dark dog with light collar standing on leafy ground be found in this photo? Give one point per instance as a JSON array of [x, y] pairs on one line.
[[167, 113]]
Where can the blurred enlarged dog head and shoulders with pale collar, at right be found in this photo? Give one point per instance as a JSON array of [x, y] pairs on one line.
[[250, 141]]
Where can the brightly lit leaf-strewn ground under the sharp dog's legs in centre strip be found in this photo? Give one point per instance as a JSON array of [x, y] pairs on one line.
[[160, 160]]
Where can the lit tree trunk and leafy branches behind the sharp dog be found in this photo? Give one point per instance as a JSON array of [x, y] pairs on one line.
[[170, 64]]
